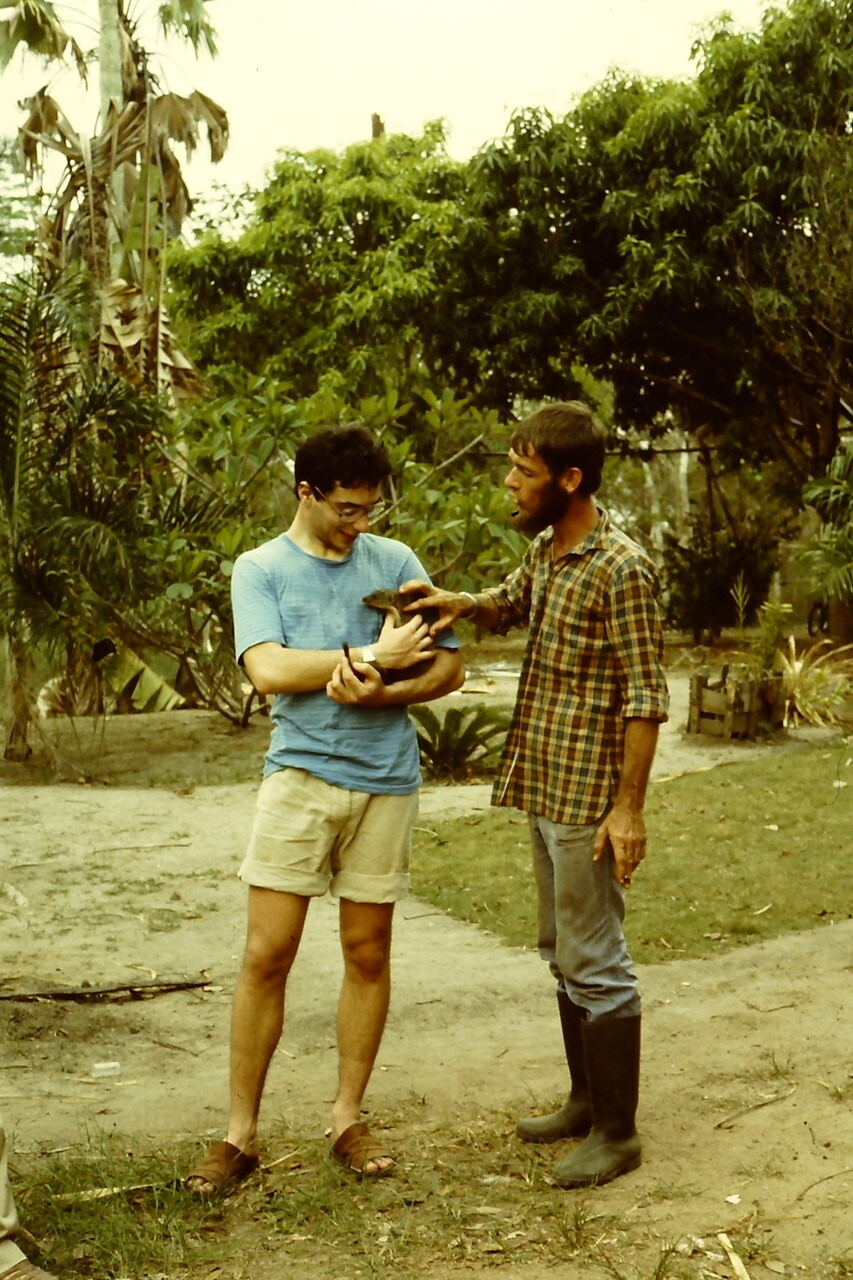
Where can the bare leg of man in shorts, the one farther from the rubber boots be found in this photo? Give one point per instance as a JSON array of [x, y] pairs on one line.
[[276, 924]]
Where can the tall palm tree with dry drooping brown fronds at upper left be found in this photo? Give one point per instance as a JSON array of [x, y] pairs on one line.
[[124, 195]]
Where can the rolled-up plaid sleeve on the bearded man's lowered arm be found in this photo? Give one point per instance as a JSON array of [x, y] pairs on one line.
[[636, 633]]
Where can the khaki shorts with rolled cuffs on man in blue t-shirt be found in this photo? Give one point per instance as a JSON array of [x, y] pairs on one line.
[[311, 838]]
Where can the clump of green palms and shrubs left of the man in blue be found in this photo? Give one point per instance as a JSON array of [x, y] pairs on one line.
[[103, 538]]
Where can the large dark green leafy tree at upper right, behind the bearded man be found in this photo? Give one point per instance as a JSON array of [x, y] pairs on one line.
[[645, 235]]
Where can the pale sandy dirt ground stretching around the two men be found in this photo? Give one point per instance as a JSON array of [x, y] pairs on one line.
[[746, 1100]]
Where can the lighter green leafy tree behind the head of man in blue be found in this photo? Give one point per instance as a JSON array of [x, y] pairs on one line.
[[336, 277]]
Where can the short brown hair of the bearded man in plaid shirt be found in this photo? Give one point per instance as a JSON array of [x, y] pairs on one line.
[[565, 436]]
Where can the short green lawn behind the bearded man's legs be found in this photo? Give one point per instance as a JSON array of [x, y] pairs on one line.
[[738, 854]]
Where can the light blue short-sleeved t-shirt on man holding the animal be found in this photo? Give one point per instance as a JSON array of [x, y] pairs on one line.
[[286, 596]]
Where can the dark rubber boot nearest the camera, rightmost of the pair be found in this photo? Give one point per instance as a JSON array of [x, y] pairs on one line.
[[612, 1052]]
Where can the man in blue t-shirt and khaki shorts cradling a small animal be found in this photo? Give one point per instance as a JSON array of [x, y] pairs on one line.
[[340, 792]]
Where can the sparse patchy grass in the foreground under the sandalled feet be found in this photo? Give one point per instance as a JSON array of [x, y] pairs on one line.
[[463, 1197]]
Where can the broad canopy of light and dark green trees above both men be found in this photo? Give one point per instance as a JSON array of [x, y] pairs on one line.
[[687, 241]]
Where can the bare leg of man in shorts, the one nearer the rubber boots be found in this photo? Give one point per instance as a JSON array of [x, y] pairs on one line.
[[366, 941]]
